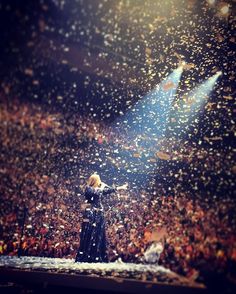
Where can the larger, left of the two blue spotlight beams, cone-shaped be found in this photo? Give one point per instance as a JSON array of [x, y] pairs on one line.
[[150, 115]]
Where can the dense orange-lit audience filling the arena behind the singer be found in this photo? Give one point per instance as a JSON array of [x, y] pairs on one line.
[[45, 161]]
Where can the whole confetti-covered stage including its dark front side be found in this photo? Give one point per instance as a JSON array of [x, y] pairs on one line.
[[42, 273]]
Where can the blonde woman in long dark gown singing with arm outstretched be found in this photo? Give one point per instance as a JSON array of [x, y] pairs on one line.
[[92, 237]]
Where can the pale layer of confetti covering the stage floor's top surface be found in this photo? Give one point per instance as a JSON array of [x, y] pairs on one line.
[[116, 270]]
